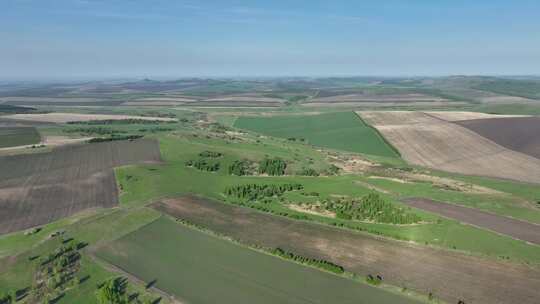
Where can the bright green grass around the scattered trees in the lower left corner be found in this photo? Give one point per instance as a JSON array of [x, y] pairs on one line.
[[93, 228]]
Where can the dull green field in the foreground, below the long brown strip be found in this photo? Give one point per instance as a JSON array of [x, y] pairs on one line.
[[184, 262]]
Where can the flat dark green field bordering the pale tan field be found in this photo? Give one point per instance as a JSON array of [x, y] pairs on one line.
[[341, 130]]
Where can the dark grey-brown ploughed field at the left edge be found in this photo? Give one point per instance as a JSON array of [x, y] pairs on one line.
[[39, 188]]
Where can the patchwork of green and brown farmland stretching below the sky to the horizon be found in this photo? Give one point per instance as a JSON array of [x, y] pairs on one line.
[[283, 191]]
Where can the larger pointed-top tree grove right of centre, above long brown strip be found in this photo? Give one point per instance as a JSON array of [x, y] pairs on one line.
[[371, 207]]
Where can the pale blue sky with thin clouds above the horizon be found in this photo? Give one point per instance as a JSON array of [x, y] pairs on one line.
[[69, 39]]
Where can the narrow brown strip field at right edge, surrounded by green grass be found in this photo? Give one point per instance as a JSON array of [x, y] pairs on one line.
[[504, 225]]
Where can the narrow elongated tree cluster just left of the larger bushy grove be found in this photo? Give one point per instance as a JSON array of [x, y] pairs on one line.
[[254, 192]]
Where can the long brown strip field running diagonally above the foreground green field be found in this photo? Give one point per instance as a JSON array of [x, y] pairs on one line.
[[450, 276]]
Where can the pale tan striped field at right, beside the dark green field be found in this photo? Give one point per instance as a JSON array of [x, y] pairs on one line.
[[427, 141]]
